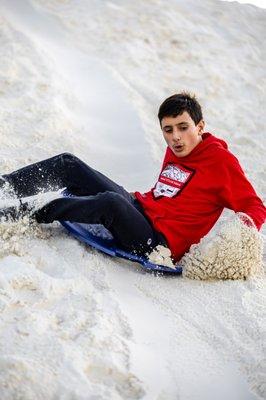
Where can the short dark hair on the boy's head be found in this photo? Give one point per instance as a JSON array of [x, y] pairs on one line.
[[177, 104]]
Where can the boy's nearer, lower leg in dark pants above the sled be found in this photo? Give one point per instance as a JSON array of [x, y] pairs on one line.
[[129, 226]]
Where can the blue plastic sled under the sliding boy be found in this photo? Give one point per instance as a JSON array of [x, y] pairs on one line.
[[101, 239]]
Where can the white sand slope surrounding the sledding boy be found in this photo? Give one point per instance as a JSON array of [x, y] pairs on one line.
[[88, 77]]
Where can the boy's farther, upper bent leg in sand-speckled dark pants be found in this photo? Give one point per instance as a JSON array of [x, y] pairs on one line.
[[63, 170]]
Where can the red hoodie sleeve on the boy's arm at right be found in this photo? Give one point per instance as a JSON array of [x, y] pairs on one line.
[[237, 192]]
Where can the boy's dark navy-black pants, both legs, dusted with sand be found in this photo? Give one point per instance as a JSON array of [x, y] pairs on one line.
[[97, 200]]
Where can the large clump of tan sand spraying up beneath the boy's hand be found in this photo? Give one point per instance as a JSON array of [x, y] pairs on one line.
[[235, 252]]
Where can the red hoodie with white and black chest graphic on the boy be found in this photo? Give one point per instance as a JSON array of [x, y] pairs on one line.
[[192, 191]]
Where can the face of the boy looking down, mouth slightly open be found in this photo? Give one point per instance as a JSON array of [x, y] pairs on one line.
[[181, 134]]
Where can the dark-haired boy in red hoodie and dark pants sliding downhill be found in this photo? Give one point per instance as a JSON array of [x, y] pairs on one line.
[[198, 178]]
